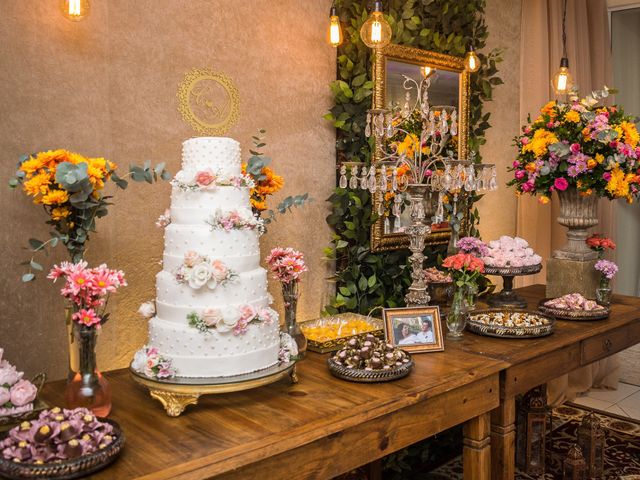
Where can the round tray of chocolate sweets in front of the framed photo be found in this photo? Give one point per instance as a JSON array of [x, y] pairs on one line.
[[367, 359]]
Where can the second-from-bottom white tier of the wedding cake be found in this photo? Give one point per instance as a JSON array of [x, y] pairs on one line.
[[247, 286]]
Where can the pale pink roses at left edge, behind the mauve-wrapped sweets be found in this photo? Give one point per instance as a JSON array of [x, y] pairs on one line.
[[16, 393]]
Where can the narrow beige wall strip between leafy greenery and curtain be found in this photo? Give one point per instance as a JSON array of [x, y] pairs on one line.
[[498, 209]]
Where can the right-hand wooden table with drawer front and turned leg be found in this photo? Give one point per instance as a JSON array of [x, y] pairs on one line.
[[534, 362]]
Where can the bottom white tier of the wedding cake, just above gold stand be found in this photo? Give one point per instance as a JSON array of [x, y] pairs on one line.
[[194, 354]]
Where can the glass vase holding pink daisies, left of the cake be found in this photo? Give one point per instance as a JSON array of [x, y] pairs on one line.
[[86, 386]]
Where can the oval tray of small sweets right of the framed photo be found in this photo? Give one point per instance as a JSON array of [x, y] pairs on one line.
[[510, 323]]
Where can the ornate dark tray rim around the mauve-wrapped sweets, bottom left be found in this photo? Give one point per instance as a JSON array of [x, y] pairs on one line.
[[67, 469]]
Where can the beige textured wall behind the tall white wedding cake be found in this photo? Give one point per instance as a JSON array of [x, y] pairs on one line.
[[107, 86]]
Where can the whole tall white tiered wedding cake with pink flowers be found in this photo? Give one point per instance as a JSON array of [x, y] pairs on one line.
[[212, 315]]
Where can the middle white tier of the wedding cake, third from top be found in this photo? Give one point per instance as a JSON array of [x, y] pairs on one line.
[[216, 244]]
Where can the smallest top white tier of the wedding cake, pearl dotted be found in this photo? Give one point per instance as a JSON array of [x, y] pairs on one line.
[[219, 154]]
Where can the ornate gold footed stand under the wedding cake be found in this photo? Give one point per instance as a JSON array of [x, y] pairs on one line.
[[176, 394]]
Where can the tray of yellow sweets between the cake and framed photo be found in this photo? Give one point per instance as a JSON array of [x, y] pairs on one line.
[[329, 334]]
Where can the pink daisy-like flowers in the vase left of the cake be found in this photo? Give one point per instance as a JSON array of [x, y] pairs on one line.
[[88, 290]]
